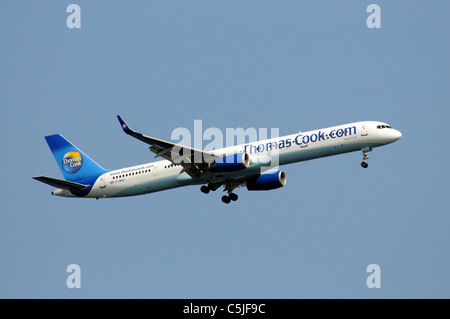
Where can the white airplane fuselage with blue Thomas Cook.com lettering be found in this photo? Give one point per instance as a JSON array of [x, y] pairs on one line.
[[161, 175]]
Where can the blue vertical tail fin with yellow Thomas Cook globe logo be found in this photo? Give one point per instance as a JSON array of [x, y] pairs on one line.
[[73, 163]]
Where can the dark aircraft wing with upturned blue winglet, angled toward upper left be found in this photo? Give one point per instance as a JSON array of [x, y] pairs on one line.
[[177, 154]]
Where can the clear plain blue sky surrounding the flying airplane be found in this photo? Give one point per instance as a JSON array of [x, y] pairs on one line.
[[292, 65]]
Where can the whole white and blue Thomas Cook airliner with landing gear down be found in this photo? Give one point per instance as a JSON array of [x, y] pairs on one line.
[[230, 167]]
